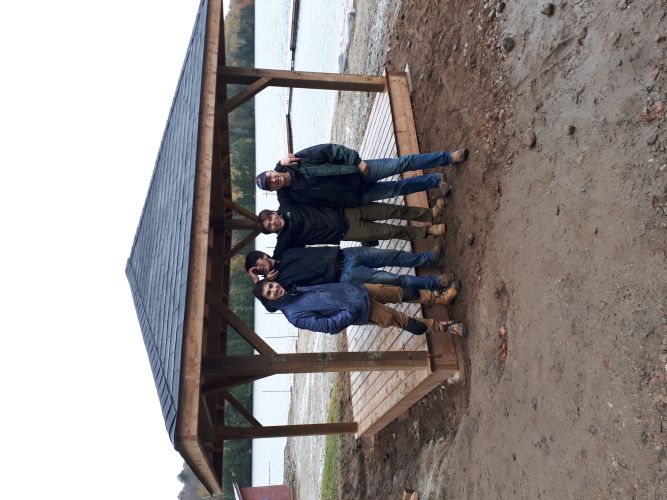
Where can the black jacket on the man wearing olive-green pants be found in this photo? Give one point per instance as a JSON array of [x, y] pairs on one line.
[[308, 225]]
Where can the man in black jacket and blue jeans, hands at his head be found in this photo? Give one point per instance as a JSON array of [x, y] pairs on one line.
[[318, 265]]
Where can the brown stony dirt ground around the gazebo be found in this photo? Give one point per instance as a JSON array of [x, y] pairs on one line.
[[569, 251]]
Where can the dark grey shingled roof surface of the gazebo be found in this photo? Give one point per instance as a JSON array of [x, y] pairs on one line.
[[157, 268]]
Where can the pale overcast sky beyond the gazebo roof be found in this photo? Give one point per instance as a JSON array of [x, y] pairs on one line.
[[85, 93]]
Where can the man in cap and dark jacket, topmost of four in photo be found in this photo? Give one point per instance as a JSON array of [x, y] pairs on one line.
[[335, 176]]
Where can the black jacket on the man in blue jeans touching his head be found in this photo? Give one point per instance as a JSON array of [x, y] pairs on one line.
[[308, 266]]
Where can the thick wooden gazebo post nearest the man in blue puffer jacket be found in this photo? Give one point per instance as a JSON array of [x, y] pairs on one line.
[[310, 362]]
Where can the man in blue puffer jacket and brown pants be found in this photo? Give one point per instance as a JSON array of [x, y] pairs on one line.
[[332, 307]]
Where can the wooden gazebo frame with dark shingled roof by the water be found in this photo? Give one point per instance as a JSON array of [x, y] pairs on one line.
[[179, 270]]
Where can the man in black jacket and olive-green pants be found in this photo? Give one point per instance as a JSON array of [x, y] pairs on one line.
[[301, 225]]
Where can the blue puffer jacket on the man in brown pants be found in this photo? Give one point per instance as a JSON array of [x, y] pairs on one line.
[[327, 308]]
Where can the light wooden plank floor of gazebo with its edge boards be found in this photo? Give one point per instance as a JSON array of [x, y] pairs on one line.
[[378, 397]]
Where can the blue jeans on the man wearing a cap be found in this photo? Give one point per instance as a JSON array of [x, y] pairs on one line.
[[387, 167]]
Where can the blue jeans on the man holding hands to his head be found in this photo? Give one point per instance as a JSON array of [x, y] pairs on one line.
[[361, 263]]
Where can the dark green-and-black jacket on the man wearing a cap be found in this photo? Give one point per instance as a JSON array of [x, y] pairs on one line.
[[326, 175]]
